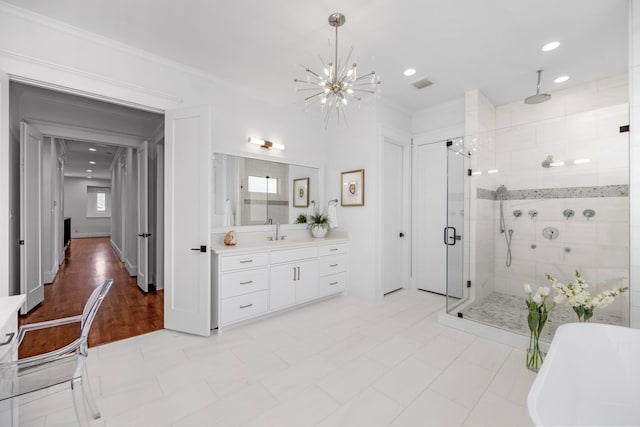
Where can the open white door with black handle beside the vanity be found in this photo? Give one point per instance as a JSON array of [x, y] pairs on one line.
[[187, 207]]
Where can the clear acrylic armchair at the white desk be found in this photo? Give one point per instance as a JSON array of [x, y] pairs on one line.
[[66, 364]]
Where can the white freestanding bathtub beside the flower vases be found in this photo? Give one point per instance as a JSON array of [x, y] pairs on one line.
[[590, 377]]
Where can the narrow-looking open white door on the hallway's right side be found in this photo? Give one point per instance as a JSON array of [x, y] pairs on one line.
[[143, 216]]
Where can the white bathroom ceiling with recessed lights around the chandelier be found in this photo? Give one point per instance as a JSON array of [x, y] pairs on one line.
[[492, 45]]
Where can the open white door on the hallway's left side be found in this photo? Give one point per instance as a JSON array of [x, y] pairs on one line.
[[30, 217]]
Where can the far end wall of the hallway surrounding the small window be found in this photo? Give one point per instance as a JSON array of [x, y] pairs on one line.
[[75, 206]]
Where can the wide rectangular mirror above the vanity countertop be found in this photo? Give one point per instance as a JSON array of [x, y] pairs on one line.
[[250, 191]]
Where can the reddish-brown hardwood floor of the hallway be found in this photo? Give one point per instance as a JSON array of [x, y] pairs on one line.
[[125, 312]]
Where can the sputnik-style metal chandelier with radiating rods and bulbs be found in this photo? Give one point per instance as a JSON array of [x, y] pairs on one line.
[[338, 84]]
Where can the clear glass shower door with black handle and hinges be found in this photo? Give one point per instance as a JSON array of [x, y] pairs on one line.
[[457, 231]]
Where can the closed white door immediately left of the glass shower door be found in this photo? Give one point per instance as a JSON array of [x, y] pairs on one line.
[[430, 216]]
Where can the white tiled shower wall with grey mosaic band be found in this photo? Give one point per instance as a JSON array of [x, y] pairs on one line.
[[577, 123]]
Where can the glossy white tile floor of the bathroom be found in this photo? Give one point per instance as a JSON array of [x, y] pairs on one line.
[[340, 362]]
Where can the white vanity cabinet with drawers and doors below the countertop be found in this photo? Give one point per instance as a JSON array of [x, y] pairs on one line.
[[264, 279]]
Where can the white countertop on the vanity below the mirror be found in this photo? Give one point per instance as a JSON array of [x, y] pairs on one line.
[[246, 244]]
